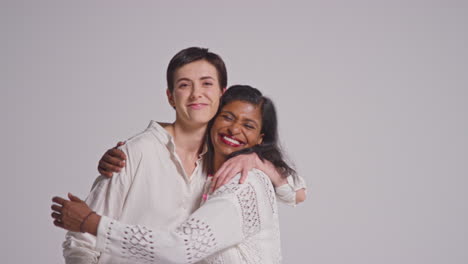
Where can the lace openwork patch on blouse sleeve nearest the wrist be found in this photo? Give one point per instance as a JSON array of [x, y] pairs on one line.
[[138, 242]]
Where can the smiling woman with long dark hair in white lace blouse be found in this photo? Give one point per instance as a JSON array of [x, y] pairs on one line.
[[238, 223]]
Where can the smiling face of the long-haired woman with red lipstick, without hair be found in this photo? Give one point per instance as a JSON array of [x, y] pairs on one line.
[[237, 126]]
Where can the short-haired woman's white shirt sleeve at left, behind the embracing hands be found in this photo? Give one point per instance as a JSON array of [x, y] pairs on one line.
[[106, 198]]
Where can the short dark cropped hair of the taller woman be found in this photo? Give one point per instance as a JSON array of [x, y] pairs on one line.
[[192, 54]]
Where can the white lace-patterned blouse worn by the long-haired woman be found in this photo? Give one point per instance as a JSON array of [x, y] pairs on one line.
[[237, 224]]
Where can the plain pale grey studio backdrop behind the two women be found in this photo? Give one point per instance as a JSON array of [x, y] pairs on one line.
[[372, 100]]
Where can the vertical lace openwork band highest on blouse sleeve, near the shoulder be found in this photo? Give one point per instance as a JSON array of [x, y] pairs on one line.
[[248, 203]]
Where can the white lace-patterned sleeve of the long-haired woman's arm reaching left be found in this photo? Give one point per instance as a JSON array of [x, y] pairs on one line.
[[233, 213]]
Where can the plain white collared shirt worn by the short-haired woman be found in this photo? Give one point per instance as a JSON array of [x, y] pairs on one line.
[[153, 190]]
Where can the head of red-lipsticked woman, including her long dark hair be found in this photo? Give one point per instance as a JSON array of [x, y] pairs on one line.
[[245, 123]]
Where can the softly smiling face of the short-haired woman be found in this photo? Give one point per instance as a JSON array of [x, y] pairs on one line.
[[196, 93]]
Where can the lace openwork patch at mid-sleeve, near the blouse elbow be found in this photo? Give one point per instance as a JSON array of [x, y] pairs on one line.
[[198, 238]]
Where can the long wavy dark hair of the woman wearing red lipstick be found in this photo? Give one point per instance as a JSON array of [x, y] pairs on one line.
[[269, 149]]
